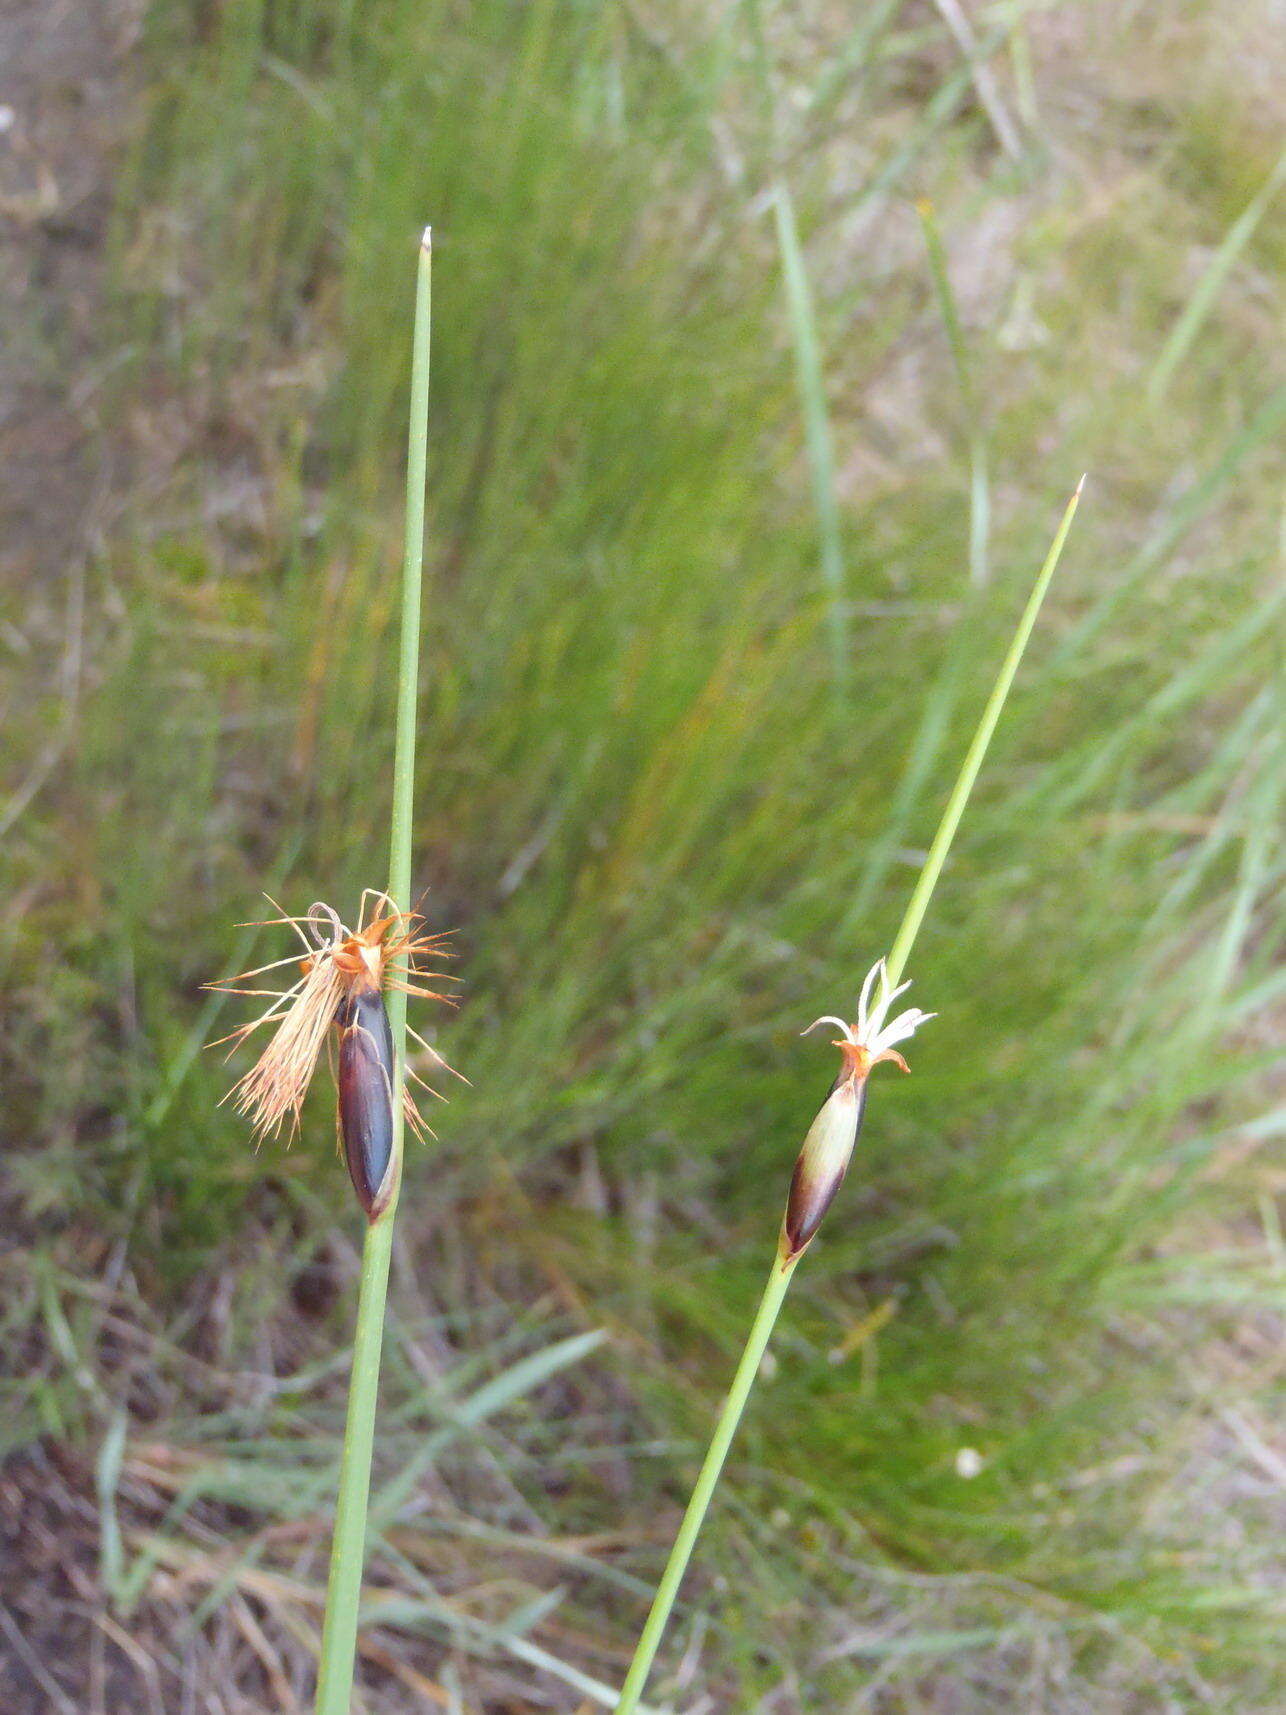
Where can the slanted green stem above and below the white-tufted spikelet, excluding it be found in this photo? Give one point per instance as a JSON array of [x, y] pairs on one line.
[[783, 1270]]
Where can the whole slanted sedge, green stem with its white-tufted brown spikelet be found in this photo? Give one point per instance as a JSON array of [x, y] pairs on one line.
[[831, 1141]]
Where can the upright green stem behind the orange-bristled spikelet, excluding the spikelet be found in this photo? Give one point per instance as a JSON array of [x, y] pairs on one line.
[[335, 1670]]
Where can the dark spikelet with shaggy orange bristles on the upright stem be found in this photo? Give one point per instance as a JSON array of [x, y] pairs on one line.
[[342, 987]]
